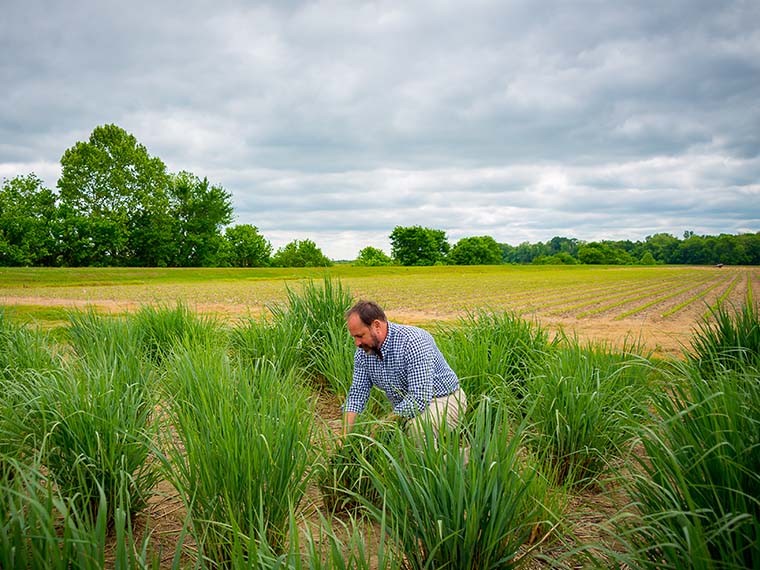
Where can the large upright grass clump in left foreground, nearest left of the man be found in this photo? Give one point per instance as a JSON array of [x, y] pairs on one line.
[[242, 455]]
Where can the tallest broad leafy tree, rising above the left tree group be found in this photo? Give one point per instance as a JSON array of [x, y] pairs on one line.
[[112, 202]]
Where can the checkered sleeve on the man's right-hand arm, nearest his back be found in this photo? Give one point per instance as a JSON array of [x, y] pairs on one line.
[[418, 360]]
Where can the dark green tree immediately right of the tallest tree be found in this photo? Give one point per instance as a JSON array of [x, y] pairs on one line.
[[199, 211]]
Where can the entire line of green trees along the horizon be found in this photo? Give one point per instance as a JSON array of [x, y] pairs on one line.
[[118, 206]]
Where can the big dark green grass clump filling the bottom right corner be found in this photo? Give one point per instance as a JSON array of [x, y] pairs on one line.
[[696, 489]]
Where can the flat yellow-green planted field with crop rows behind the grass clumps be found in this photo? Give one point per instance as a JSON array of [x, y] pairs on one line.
[[659, 306]]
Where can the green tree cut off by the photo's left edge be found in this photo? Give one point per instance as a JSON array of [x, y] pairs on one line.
[[27, 222]]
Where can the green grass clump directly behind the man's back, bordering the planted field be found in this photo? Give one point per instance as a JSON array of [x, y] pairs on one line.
[[488, 349]]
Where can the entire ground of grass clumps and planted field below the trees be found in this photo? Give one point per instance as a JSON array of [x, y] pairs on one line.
[[167, 437]]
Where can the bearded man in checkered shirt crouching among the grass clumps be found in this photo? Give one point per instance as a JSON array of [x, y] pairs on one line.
[[406, 364]]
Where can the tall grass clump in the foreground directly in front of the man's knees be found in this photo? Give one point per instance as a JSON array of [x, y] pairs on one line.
[[445, 511]]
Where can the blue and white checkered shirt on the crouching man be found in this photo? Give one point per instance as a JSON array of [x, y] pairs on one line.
[[411, 372]]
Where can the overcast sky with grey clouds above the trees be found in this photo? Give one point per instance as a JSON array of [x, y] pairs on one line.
[[337, 121]]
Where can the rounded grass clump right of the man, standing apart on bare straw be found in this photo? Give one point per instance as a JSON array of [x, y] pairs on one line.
[[585, 401]]
